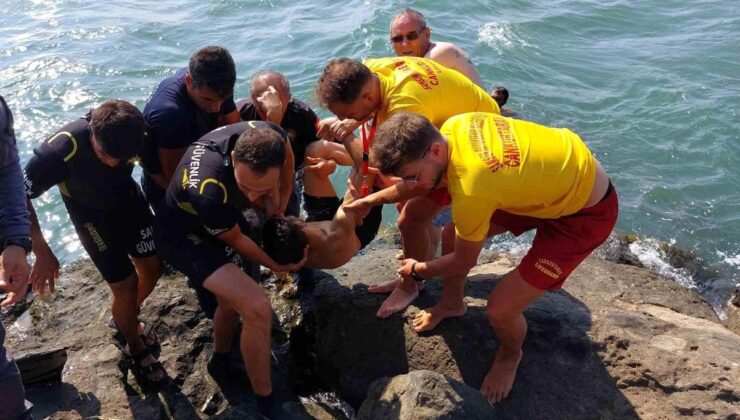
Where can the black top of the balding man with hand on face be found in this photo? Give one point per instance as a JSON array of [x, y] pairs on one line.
[[299, 122]]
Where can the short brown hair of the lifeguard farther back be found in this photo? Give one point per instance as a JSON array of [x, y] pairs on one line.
[[342, 81]]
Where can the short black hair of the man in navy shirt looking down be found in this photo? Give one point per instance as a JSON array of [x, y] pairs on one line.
[[213, 68]]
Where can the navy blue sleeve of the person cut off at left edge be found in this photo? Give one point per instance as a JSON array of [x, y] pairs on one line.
[[13, 211]]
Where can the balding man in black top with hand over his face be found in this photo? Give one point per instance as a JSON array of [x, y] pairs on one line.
[[270, 100]]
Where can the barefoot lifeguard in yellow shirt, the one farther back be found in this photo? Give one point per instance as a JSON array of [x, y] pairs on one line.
[[377, 89]]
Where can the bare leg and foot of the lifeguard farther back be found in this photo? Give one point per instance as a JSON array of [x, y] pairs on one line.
[[415, 218]]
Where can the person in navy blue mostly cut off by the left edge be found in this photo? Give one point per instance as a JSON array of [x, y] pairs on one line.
[[15, 243]]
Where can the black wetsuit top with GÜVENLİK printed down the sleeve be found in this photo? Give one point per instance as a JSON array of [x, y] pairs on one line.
[[203, 196]]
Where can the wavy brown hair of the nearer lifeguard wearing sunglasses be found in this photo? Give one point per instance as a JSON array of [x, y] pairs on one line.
[[401, 139]]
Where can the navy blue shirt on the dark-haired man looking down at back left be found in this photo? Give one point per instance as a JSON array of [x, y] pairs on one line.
[[174, 121]]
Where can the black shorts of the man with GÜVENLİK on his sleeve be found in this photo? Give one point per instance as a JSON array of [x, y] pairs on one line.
[[198, 255]]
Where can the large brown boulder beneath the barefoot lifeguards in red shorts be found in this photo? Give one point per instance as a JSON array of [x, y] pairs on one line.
[[618, 341]]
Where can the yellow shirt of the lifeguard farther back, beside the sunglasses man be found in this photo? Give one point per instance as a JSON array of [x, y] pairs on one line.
[[427, 88]]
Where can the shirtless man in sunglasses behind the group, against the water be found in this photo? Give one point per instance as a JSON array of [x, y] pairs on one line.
[[410, 36]]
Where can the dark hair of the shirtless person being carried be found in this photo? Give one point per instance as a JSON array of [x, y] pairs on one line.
[[283, 241]]
